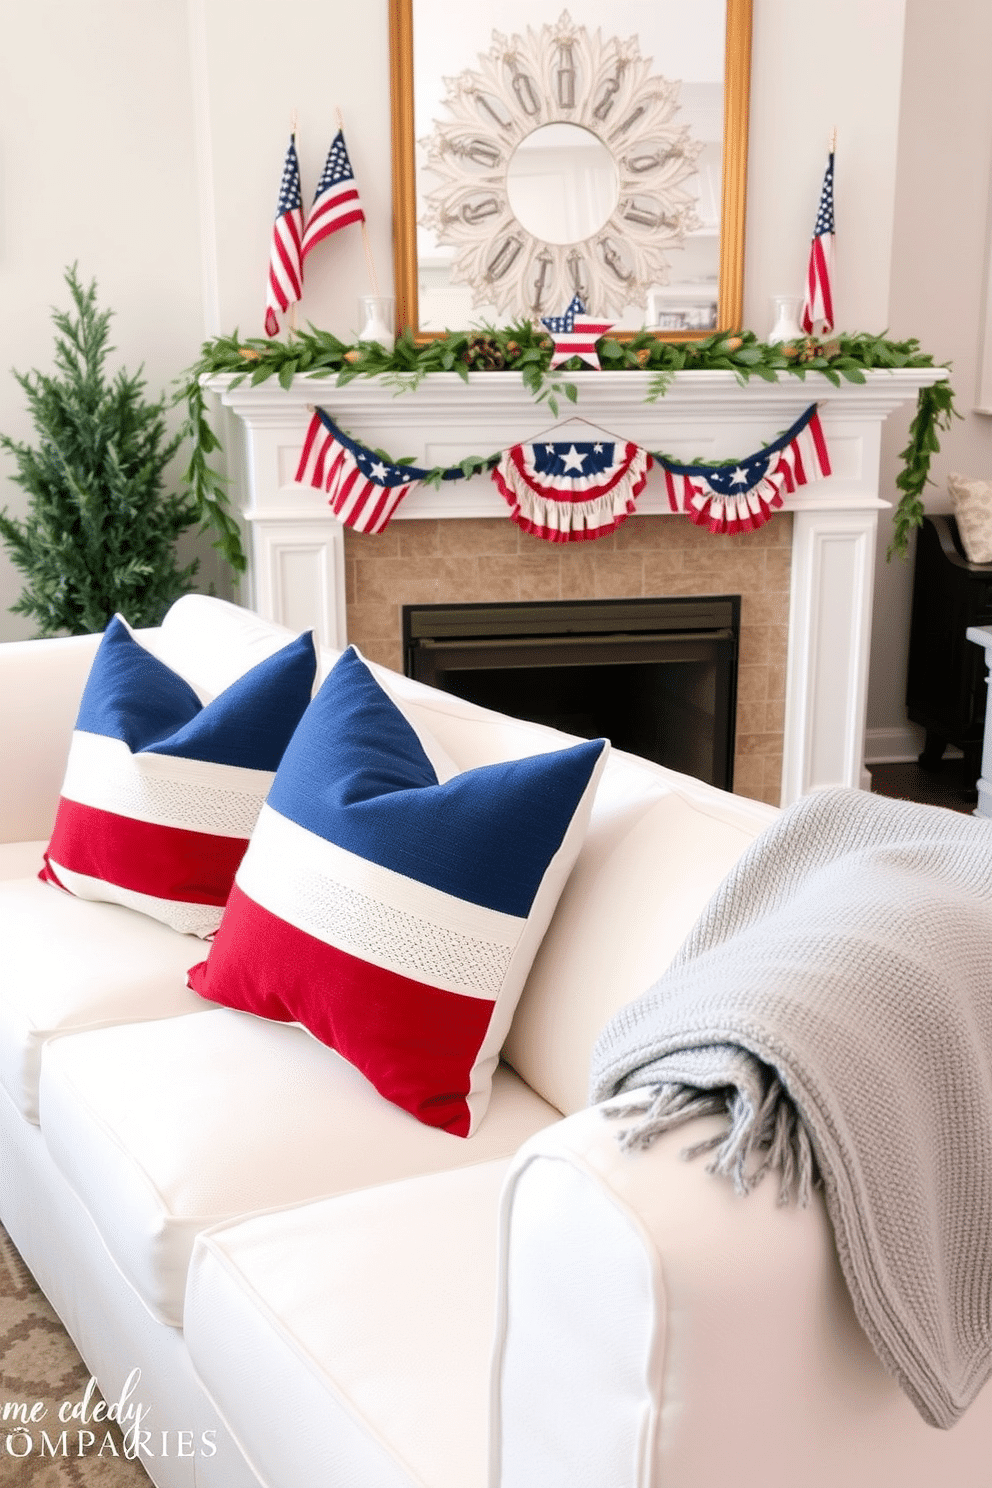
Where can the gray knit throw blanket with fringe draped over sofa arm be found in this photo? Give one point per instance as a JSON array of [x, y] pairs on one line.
[[835, 999]]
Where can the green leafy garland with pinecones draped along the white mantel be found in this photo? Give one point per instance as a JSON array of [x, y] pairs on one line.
[[527, 350]]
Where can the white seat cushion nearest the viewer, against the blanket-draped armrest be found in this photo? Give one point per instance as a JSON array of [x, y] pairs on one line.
[[365, 1321]]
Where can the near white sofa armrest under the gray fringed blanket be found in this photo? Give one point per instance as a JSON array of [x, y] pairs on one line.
[[657, 1328]]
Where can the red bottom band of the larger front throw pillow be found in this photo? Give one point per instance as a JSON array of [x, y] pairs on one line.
[[414, 1042]]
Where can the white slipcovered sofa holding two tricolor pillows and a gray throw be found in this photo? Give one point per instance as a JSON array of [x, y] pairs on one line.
[[318, 1289]]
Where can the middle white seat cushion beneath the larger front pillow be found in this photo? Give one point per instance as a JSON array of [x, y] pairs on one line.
[[167, 1129]]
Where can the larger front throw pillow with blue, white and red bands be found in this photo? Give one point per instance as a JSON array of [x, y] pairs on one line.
[[392, 913]]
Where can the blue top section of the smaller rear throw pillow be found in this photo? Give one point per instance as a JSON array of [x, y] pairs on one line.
[[132, 696]]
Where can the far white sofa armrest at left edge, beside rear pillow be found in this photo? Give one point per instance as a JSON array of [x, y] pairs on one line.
[[41, 687]]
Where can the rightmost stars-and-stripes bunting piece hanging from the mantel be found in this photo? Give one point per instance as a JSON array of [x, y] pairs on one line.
[[738, 498]]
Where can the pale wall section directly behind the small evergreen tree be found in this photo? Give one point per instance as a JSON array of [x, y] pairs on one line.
[[96, 167]]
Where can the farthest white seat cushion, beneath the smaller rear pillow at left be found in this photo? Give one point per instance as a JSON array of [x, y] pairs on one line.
[[72, 966]]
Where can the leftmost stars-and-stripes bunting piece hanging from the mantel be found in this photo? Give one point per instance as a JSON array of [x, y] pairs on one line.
[[365, 490]]
